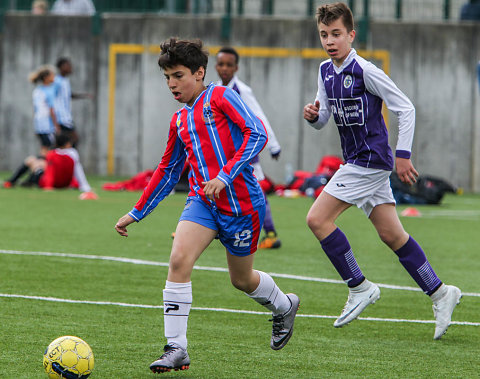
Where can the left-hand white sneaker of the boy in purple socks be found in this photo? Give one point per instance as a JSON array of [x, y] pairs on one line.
[[358, 299]]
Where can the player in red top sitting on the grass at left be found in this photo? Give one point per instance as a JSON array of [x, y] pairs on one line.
[[61, 168]]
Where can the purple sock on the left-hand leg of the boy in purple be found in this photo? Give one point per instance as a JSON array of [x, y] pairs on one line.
[[340, 253]]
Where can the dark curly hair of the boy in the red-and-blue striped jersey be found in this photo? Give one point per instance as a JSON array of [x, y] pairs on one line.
[[188, 53]]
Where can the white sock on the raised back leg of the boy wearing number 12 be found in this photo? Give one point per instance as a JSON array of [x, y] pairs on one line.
[[270, 296]]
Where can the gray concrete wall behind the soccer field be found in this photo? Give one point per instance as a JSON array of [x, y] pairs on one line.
[[435, 65]]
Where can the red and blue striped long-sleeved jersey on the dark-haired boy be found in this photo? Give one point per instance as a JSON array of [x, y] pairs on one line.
[[219, 135]]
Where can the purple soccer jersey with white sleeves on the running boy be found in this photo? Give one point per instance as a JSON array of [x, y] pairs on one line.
[[354, 94]]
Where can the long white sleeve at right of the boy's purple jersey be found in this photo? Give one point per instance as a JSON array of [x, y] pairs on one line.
[[379, 84]]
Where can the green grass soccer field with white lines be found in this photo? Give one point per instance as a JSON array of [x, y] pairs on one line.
[[393, 339]]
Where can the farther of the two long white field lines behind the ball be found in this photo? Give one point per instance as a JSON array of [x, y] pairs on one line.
[[204, 268]]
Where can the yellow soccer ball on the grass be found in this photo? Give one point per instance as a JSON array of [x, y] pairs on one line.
[[68, 357]]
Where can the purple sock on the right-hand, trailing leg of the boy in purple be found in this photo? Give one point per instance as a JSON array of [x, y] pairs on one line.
[[413, 258]]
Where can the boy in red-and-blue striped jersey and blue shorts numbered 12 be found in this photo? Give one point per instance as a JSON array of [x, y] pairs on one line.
[[220, 135]]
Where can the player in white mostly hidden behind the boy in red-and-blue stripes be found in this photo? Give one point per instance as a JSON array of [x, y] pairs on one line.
[[227, 66]]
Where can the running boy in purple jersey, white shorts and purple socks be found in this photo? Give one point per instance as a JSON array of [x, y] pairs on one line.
[[353, 89]]
